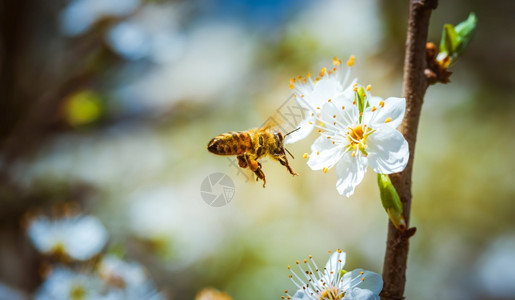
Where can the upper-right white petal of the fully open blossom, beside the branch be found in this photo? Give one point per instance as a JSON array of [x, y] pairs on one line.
[[393, 112]]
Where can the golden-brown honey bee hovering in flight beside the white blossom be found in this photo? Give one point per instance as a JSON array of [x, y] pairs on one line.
[[250, 145]]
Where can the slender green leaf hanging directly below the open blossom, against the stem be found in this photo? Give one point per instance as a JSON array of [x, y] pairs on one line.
[[391, 201]]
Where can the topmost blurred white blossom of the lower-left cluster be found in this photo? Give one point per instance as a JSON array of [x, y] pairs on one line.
[[78, 237]]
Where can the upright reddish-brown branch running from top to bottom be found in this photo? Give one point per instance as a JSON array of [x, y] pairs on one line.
[[415, 86]]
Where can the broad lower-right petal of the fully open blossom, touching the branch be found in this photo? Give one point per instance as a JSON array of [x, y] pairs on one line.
[[388, 151]]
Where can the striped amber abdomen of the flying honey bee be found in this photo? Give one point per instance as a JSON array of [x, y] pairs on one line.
[[231, 143]]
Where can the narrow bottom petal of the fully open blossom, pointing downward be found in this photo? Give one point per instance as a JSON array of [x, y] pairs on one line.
[[349, 172]]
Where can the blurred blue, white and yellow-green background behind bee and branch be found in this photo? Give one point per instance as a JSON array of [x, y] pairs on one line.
[[110, 104]]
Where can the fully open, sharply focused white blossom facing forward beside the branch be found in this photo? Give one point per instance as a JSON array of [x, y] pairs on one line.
[[354, 136]]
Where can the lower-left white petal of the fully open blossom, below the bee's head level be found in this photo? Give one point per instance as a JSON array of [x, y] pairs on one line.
[[324, 153]]
